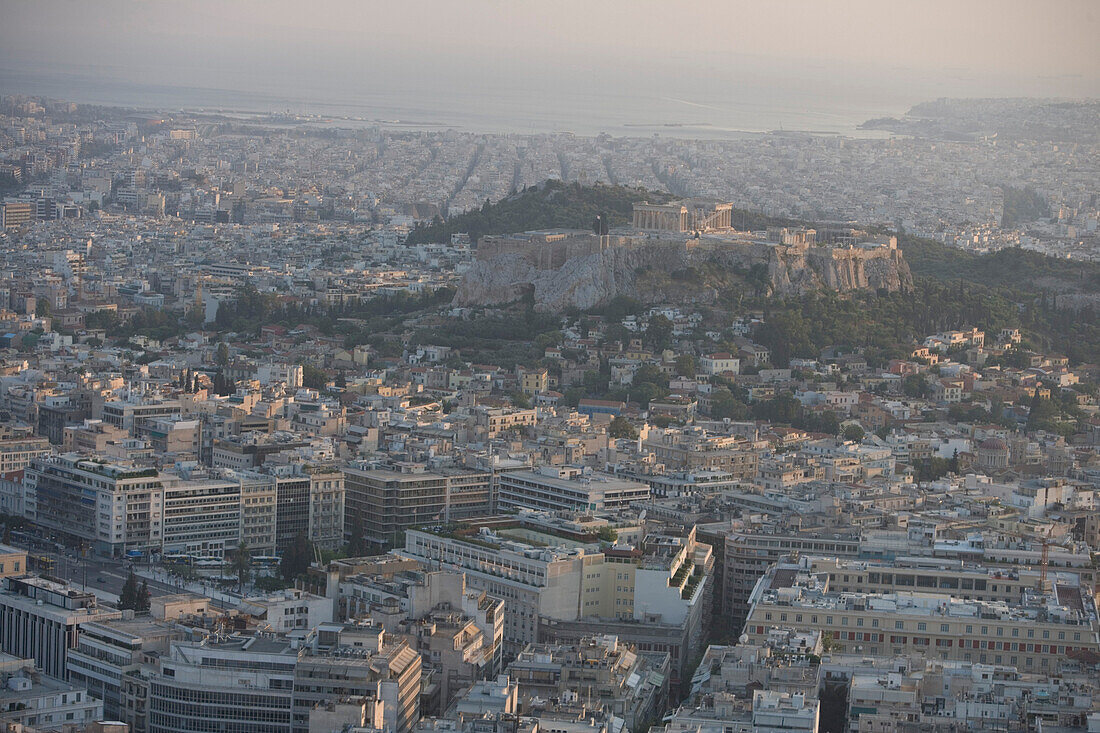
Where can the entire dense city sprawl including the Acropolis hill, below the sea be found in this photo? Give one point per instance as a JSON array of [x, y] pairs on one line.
[[320, 424]]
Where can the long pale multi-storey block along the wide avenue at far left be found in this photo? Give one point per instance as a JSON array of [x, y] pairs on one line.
[[118, 509]]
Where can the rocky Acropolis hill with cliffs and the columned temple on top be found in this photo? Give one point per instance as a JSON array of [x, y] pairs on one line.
[[573, 268]]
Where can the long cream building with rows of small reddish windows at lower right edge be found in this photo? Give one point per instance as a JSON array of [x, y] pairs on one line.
[[1035, 633]]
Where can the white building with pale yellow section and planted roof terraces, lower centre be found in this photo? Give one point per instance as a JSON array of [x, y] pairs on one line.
[[663, 584]]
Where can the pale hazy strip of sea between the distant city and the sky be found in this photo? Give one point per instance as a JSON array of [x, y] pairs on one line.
[[680, 111]]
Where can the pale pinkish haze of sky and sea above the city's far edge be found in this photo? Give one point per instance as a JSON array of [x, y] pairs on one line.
[[540, 68]]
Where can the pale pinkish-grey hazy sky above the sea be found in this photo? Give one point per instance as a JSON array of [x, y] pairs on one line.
[[884, 52]]
